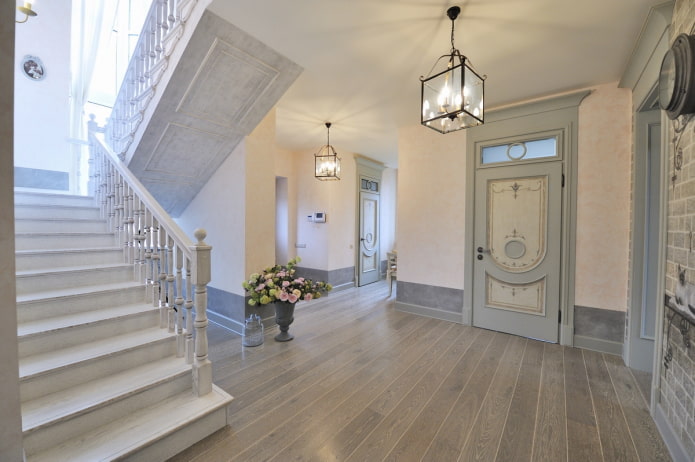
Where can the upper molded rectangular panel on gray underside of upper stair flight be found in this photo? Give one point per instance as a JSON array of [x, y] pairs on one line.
[[211, 98]]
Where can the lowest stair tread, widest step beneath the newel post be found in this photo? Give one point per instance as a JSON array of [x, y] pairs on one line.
[[124, 436]]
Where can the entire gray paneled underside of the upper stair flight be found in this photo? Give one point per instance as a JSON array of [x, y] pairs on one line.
[[222, 87]]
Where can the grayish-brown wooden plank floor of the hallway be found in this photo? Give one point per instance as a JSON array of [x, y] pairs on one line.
[[364, 382]]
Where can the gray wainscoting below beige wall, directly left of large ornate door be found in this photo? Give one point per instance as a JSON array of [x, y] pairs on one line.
[[433, 301]]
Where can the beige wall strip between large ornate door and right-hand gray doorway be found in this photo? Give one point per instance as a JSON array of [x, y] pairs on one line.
[[603, 198]]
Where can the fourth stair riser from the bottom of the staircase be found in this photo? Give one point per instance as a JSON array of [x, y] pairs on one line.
[[75, 335]]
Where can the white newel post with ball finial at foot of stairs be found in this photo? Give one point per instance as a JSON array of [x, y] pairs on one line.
[[202, 367]]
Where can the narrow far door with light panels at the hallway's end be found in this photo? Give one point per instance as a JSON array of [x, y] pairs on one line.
[[368, 270]]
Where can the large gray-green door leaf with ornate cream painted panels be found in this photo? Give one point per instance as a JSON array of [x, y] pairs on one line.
[[516, 281]]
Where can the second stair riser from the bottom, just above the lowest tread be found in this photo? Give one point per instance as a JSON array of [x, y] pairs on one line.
[[51, 435]]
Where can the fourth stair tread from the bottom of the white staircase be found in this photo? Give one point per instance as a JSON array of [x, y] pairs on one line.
[[79, 319]]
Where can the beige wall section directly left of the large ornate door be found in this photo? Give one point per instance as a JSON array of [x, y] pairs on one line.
[[430, 218]]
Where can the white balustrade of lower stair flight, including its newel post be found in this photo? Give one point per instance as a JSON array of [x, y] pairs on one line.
[[154, 244]]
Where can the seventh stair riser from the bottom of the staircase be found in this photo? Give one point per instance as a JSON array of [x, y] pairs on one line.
[[68, 258]]
